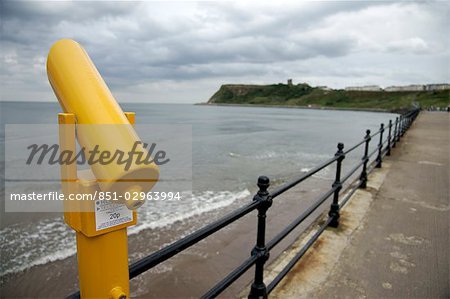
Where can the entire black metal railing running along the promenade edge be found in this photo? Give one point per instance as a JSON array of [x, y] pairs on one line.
[[263, 199]]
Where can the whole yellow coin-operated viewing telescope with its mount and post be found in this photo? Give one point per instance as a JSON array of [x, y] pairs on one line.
[[93, 117]]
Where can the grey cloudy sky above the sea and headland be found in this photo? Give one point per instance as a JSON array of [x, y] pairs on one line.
[[183, 51]]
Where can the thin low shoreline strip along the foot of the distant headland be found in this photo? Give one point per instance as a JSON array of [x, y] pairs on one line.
[[378, 110]]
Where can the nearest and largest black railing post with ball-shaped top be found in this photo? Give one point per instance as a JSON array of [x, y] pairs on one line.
[[258, 288]]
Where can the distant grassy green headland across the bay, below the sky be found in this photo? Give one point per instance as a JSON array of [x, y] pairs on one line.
[[307, 96]]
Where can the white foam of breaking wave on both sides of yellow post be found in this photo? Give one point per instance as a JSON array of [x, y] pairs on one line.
[[48, 240]]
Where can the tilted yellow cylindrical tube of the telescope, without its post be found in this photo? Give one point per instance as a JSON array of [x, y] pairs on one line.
[[101, 124]]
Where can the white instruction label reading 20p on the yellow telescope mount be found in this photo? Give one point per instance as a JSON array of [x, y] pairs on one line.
[[108, 214]]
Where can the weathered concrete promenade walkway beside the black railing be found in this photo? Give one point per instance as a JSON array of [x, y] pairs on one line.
[[393, 241]]
